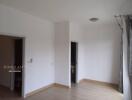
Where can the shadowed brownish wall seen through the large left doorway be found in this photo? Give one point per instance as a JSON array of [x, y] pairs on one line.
[[6, 60]]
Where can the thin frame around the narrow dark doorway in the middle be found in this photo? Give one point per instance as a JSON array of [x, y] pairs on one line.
[[77, 44]]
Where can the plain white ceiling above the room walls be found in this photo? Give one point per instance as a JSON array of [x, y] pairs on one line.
[[72, 10]]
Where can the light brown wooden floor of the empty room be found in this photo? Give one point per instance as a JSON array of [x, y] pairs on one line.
[[83, 91]]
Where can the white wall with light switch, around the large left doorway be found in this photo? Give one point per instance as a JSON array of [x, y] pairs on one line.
[[39, 45]]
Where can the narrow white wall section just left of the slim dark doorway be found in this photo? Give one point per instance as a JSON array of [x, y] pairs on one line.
[[62, 61]]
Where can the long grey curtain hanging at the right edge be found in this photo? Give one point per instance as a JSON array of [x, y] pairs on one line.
[[126, 57]]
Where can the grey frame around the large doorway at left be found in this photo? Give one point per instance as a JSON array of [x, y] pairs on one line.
[[23, 58]]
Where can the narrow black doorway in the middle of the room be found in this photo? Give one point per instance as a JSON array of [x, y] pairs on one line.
[[74, 47]]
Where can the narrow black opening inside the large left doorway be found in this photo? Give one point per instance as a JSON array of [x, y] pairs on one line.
[[18, 65]]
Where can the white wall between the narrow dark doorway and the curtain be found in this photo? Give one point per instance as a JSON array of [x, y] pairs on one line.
[[99, 50]]
